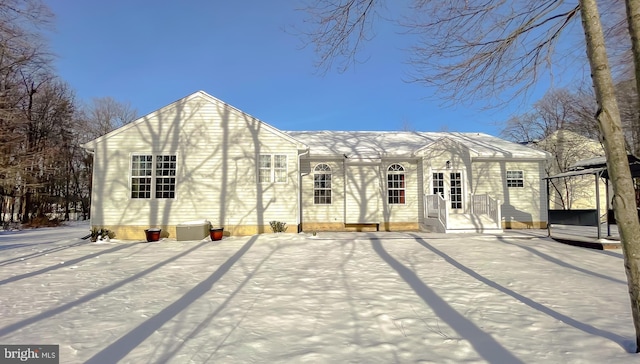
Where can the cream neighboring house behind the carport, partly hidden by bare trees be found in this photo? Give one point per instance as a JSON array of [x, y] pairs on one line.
[[576, 192]]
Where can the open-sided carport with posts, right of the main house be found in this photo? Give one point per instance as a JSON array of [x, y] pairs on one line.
[[589, 217]]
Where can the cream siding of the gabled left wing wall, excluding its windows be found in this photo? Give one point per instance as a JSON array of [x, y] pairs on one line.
[[216, 180]]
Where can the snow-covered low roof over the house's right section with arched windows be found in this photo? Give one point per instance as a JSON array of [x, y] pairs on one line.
[[377, 144]]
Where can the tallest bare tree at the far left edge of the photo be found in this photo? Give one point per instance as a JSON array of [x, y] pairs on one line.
[[24, 64]]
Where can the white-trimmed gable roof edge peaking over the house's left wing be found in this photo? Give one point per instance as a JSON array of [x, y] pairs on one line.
[[197, 94]]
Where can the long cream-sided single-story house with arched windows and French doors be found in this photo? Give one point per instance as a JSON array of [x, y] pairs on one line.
[[199, 158]]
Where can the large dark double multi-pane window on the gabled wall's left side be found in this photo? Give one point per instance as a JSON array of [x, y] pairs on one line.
[[144, 171]]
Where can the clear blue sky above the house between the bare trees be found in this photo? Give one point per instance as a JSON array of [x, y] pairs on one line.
[[151, 53]]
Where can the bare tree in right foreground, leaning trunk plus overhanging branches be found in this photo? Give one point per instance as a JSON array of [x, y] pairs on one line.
[[495, 48]]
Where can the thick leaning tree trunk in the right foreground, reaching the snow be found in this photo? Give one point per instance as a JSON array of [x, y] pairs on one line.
[[608, 117]]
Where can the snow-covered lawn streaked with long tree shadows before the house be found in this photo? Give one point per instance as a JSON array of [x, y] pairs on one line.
[[334, 298]]
